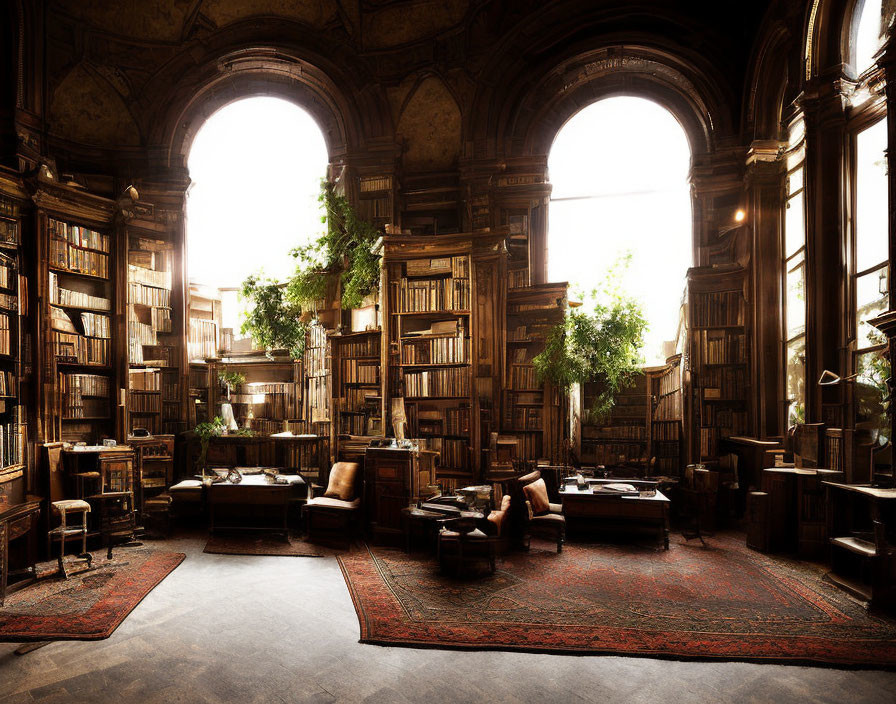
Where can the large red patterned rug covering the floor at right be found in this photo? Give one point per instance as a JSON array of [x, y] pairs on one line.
[[725, 602]]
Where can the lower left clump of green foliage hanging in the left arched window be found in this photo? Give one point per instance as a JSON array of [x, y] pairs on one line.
[[273, 321]]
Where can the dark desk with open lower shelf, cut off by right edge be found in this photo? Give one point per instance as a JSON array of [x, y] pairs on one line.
[[861, 523]]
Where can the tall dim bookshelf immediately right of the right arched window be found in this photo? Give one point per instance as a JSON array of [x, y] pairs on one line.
[[718, 357]]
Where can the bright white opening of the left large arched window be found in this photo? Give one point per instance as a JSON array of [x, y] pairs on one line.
[[256, 167]]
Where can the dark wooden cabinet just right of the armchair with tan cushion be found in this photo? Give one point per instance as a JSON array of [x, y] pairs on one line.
[[393, 478]]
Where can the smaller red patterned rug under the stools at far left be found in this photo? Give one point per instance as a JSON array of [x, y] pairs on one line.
[[86, 606]]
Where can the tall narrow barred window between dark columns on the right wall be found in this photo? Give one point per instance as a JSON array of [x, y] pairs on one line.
[[794, 268]]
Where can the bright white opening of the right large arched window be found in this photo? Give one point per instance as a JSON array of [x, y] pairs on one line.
[[619, 170]]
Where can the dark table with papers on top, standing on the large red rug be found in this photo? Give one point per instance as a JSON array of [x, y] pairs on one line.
[[588, 509]]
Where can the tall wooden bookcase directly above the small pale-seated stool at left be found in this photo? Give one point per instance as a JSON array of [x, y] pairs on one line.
[[78, 323]]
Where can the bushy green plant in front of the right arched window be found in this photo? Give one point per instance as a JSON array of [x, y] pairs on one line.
[[602, 345]]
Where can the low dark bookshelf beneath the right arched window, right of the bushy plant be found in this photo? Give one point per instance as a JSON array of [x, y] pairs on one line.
[[620, 437]]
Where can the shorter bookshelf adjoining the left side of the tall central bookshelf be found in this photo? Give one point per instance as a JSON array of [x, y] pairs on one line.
[[358, 401]]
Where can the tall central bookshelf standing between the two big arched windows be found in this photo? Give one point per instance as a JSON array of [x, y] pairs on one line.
[[441, 293]]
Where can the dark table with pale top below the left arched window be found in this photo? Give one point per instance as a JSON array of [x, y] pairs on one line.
[[254, 498]]
